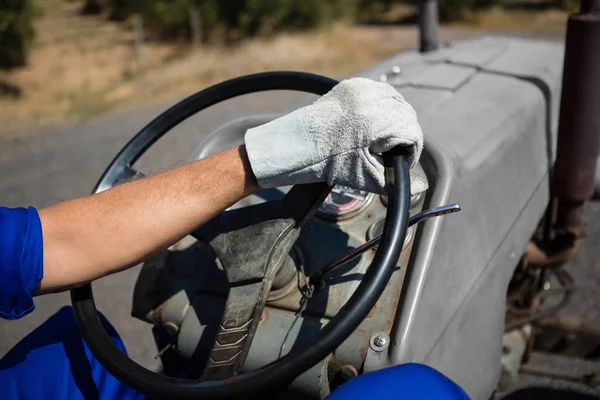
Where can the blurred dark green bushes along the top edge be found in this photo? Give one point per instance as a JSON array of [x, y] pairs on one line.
[[228, 20]]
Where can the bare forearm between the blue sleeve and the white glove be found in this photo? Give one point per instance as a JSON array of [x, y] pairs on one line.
[[87, 238]]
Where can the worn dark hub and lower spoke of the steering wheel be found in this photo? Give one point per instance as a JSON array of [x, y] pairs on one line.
[[252, 243]]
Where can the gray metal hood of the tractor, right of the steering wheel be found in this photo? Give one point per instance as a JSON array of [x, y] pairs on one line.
[[486, 147]]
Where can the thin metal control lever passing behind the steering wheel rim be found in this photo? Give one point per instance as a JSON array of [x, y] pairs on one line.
[[316, 280]]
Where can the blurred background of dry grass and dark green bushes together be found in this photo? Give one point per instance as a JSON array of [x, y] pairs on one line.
[[90, 56]]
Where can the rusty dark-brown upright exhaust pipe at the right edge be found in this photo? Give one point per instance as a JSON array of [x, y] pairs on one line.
[[579, 127]]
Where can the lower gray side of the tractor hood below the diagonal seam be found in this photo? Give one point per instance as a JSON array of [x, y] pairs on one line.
[[478, 323]]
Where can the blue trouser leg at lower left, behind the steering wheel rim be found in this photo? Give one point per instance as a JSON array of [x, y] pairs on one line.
[[54, 362]]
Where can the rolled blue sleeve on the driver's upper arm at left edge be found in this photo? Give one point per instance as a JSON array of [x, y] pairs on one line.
[[21, 260]]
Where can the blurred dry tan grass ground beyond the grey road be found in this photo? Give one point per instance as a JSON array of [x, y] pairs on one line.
[[82, 66]]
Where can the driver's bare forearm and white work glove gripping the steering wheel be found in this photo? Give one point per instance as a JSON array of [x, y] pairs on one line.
[[331, 140]]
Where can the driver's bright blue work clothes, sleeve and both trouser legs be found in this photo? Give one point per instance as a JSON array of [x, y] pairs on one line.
[[53, 362]]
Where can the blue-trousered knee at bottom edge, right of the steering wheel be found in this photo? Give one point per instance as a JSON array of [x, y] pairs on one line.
[[406, 381]]
